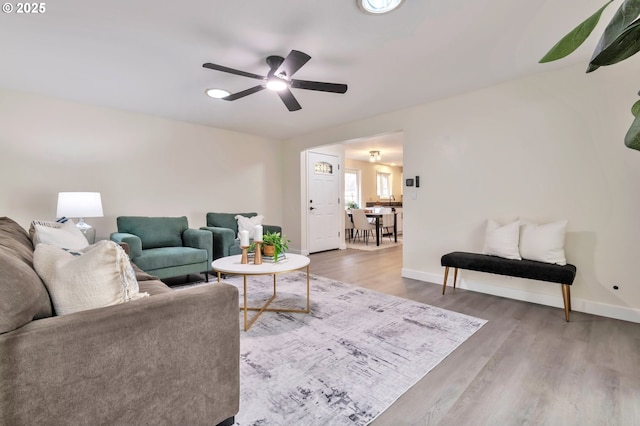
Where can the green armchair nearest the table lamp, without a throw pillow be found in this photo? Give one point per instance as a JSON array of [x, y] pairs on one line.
[[165, 246]]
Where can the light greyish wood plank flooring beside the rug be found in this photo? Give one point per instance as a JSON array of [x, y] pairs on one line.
[[526, 366]]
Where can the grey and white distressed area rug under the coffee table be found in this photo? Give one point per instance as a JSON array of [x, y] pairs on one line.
[[344, 363]]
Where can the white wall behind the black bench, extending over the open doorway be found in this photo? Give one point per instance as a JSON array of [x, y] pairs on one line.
[[546, 147]]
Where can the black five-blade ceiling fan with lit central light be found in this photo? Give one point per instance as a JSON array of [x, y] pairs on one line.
[[279, 79]]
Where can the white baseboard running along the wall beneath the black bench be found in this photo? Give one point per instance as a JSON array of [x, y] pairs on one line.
[[579, 305]]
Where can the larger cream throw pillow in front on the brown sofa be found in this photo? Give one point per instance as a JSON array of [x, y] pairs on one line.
[[100, 275]]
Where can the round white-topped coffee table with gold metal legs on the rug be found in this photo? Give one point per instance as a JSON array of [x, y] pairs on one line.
[[232, 265]]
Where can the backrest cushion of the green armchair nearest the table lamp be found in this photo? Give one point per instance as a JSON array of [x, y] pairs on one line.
[[154, 231]]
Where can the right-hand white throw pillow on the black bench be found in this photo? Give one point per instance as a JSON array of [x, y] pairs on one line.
[[544, 243]]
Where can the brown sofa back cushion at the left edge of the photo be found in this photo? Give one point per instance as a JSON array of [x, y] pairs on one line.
[[23, 296]]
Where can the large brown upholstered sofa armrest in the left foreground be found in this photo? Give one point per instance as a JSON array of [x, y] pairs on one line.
[[151, 358]]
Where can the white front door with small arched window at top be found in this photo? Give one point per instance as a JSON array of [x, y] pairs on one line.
[[323, 203]]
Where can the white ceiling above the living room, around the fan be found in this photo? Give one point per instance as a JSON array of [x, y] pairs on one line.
[[147, 55]]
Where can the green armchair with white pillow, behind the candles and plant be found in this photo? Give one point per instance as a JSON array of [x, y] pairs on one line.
[[224, 228]]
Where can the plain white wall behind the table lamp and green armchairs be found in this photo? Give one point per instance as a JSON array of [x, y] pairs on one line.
[[142, 165]]
